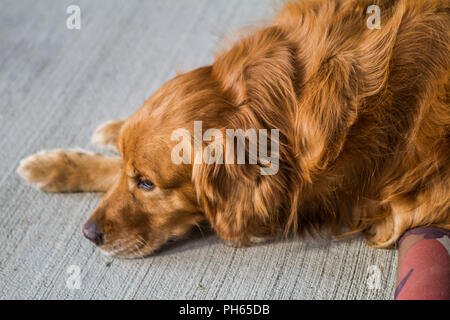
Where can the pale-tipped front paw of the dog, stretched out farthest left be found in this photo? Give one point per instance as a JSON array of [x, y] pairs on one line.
[[54, 170]]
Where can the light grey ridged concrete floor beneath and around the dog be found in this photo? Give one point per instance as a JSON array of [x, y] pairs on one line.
[[57, 85]]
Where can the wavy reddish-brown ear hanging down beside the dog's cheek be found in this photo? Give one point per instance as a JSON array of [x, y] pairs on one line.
[[242, 193]]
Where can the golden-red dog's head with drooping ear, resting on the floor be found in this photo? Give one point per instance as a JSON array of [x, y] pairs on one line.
[[157, 198]]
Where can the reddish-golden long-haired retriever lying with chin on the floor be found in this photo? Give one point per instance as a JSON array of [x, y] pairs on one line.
[[363, 116]]
